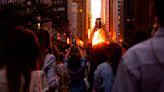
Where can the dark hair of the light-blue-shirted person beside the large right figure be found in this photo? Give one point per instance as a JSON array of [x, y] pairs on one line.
[[115, 53]]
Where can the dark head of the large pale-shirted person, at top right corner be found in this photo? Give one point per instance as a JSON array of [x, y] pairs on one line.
[[158, 10]]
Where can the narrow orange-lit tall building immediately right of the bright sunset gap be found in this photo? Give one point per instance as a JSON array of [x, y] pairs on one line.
[[116, 20]]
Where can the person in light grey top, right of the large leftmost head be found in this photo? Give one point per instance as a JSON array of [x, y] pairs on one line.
[[47, 59]]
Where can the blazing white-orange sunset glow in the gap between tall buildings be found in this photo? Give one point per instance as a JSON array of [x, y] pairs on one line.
[[99, 9]]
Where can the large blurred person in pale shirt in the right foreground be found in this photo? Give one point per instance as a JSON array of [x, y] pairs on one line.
[[142, 66]]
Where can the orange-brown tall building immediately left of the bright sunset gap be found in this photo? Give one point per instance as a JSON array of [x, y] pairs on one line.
[[77, 19]]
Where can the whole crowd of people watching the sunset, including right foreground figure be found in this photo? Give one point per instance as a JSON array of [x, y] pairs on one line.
[[30, 62]]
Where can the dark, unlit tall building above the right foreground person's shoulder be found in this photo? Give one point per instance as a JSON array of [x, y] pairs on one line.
[[137, 16]]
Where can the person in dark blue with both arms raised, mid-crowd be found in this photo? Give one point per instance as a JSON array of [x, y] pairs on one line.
[[76, 63]]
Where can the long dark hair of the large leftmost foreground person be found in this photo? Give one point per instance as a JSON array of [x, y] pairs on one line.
[[21, 56]]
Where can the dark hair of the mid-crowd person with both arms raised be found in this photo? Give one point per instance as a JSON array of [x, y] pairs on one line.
[[74, 59]]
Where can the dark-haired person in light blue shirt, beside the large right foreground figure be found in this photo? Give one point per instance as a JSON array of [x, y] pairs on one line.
[[105, 72]]
